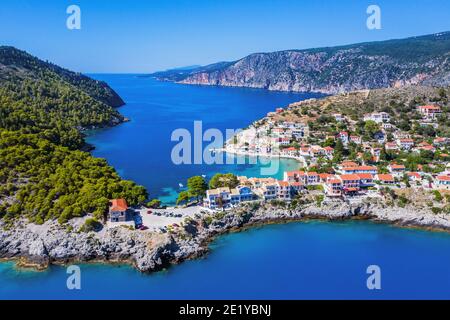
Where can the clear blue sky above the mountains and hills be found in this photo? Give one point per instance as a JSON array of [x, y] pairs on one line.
[[142, 36]]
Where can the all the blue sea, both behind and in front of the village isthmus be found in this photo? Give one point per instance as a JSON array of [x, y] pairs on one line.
[[313, 260]]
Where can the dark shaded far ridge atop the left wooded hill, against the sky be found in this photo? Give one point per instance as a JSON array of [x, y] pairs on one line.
[[17, 63]]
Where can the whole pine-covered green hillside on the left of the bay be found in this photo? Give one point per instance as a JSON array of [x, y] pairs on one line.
[[43, 110]]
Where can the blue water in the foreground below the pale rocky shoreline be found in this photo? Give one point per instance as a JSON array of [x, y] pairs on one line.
[[314, 260]]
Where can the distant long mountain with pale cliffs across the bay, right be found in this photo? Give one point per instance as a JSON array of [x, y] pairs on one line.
[[423, 60]]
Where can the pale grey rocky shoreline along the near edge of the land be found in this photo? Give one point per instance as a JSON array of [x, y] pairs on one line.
[[41, 246]]
